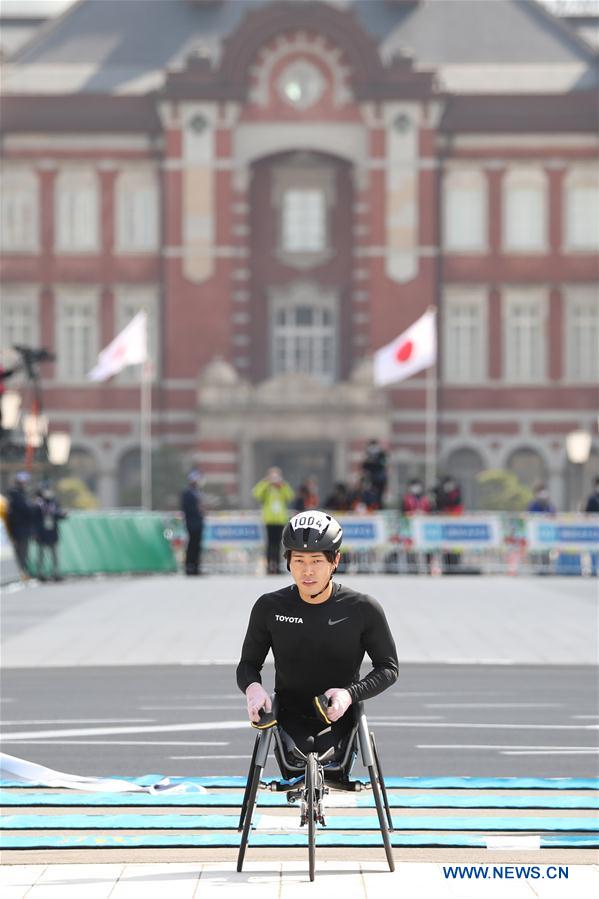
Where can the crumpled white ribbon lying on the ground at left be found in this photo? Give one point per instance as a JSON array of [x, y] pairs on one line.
[[15, 769]]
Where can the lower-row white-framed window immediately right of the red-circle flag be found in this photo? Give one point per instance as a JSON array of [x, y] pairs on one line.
[[465, 357]]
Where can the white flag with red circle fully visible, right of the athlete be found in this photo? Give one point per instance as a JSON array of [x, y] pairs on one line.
[[409, 353]]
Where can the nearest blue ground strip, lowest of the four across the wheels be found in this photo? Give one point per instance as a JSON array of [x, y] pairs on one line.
[[212, 840]]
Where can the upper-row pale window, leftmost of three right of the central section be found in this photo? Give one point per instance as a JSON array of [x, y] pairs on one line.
[[459, 184]]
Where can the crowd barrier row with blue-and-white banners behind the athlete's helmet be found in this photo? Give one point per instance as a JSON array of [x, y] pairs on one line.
[[389, 543]]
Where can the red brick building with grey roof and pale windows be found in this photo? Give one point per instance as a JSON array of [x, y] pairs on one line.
[[285, 187]]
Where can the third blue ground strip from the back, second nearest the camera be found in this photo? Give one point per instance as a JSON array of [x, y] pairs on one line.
[[334, 822]]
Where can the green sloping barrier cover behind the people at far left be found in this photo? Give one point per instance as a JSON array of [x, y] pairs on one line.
[[110, 543]]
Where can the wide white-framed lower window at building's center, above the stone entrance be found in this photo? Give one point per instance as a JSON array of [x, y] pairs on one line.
[[293, 346]]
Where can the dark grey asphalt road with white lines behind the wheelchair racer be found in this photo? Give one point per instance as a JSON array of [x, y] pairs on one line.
[[440, 719]]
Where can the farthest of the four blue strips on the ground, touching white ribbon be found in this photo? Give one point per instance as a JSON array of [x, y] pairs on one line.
[[405, 783]]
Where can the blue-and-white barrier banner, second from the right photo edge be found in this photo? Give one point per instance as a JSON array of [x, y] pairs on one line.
[[465, 532]]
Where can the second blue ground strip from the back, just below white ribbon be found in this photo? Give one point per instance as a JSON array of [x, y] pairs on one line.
[[31, 799]]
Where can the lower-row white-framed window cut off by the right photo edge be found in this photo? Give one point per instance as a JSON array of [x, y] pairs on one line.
[[582, 338]]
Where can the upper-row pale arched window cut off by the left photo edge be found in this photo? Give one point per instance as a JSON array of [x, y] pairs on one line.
[[19, 209]]
